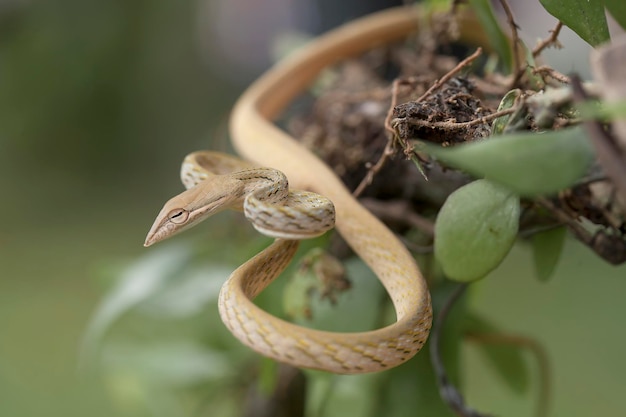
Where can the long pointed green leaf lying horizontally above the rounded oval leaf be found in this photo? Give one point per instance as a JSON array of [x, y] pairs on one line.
[[528, 163]]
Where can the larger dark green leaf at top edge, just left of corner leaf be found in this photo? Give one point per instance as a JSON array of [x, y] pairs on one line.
[[585, 17]]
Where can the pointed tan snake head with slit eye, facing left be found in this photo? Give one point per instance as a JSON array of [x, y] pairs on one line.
[[190, 207]]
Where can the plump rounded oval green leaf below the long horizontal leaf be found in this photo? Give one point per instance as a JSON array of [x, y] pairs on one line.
[[475, 230]]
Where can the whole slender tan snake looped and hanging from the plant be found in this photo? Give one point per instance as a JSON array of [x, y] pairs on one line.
[[265, 185]]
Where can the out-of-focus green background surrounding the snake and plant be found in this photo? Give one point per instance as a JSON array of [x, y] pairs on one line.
[[99, 103]]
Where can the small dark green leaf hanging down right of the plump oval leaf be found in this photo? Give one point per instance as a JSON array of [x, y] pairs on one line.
[[547, 247]]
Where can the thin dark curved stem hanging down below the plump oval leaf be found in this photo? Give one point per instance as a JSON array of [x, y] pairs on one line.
[[448, 392]]
